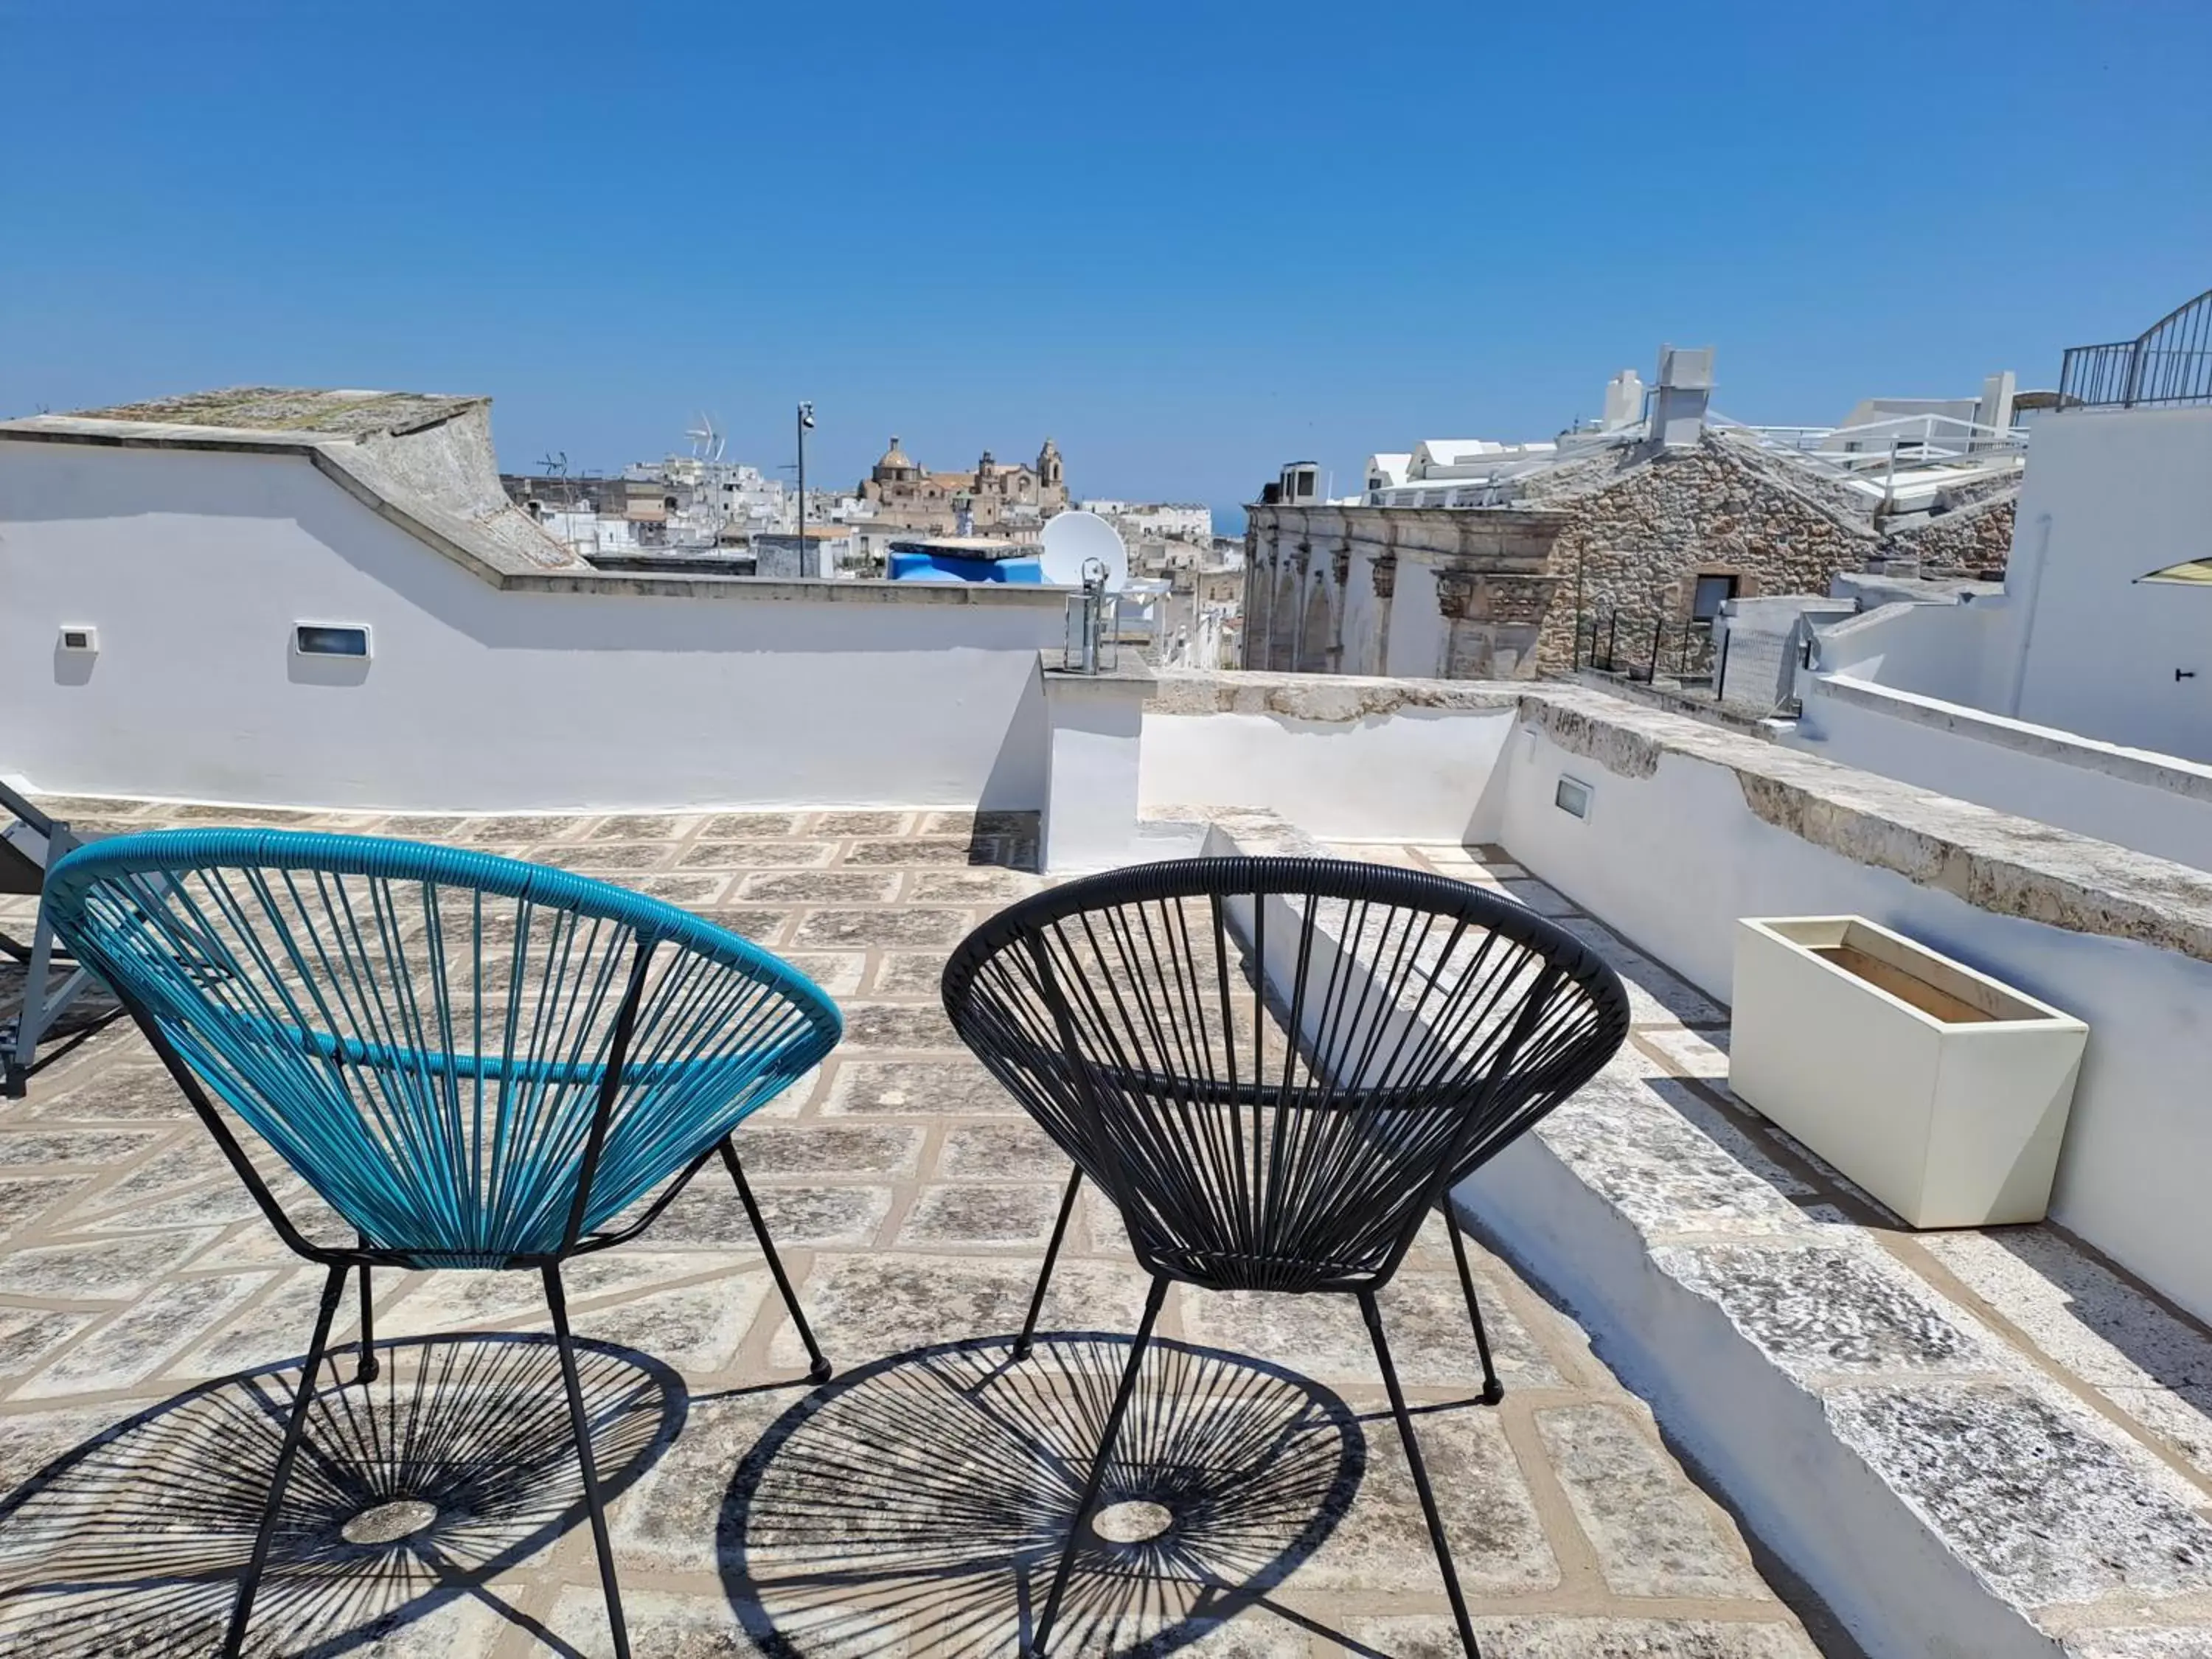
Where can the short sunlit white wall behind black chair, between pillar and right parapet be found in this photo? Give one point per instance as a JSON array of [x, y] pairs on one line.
[[1415, 775]]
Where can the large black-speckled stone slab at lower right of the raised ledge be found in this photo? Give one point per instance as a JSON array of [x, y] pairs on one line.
[[2032, 1492]]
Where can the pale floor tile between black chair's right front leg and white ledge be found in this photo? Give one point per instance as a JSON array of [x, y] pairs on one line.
[[1640, 1514]]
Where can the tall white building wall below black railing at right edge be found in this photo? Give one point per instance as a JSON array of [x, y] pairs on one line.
[[2109, 497]]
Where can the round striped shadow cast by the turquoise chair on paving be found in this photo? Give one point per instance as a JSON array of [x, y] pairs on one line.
[[134, 1543]]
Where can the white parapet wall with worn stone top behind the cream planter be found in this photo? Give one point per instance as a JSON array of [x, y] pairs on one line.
[[1689, 828]]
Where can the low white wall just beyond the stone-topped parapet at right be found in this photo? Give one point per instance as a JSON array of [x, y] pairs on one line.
[[2145, 802]]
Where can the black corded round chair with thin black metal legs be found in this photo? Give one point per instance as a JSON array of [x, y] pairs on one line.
[[1277, 1067]]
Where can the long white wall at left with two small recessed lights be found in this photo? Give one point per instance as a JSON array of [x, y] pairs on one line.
[[196, 567]]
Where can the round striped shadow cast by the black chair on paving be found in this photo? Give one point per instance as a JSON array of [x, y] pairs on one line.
[[921, 1505]]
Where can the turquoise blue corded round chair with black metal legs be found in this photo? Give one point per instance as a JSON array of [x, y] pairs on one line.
[[472, 1061]]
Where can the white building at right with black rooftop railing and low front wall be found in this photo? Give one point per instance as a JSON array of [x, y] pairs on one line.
[[2083, 691]]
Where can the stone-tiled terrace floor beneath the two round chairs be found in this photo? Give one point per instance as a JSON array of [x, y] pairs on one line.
[[152, 1324]]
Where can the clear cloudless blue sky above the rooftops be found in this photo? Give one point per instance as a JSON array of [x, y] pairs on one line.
[[1187, 240]]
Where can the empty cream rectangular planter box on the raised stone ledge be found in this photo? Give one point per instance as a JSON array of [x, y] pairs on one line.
[[1934, 1087]]
